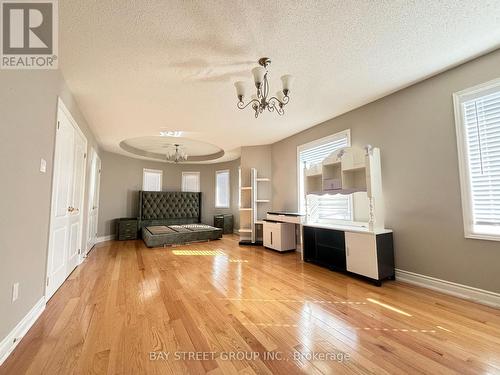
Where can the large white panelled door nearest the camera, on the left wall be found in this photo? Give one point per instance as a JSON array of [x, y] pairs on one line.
[[65, 236]]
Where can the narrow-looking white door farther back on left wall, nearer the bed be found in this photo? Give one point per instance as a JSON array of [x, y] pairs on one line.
[[95, 178]]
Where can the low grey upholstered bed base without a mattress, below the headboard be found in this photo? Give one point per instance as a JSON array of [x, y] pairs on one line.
[[161, 235]]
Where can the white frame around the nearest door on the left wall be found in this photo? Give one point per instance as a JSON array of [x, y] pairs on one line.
[[61, 106]]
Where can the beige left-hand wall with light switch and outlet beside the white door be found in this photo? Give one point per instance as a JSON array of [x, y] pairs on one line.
[[28, 107]]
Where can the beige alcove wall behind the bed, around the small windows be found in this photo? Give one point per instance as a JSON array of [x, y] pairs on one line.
[[121, 179]]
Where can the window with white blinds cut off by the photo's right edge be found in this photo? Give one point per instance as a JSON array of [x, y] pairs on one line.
[[477, 119]]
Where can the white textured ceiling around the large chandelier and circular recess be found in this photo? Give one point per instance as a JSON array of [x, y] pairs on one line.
[[139, 67]]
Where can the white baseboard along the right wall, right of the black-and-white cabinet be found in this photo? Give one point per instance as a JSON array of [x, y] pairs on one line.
[[484, 297]]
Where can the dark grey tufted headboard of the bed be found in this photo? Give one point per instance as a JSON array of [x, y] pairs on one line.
[[169, 207]]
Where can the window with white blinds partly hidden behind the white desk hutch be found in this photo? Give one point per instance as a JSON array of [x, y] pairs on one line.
[[323, 208]]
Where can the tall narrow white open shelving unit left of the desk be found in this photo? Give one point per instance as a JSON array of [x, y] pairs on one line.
[[249, 211]]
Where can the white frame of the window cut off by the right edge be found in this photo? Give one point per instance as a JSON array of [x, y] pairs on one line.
[[459, 98]]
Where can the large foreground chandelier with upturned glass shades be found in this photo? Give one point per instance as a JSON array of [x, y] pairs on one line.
[[261, 100]]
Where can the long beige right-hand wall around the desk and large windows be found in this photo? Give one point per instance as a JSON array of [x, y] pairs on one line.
[[415, 131]]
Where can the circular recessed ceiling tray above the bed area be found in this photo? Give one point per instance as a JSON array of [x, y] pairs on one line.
[[158, 147]]
